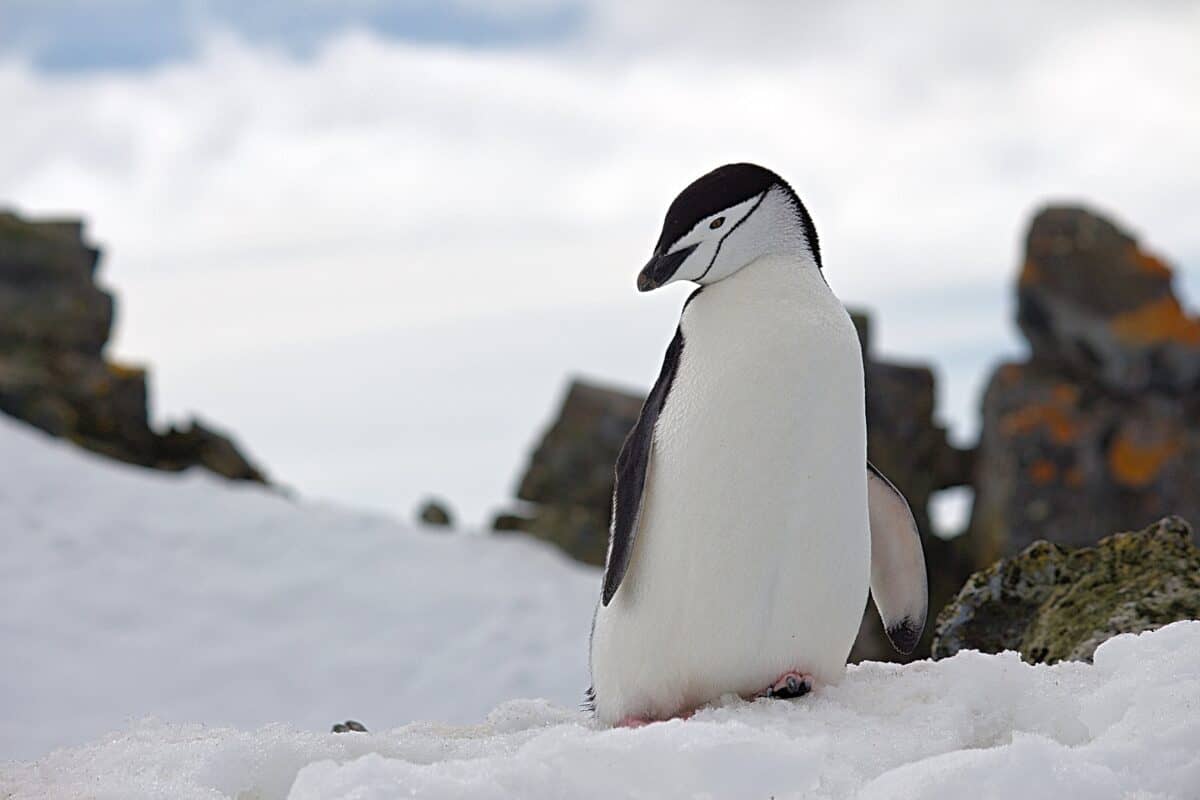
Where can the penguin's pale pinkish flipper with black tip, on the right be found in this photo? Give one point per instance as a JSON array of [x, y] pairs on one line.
[[898, 563]]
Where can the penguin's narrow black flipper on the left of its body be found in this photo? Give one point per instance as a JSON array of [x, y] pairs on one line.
[[633, 467]]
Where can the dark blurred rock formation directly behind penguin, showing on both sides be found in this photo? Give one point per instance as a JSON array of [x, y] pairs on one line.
[[571, 476]]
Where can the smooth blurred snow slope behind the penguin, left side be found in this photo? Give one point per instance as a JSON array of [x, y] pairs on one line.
[[127, 593]]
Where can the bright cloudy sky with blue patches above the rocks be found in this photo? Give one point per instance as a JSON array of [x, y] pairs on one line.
[[375, 239]]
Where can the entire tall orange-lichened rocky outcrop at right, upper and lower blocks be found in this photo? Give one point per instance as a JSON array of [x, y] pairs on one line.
[[1100, 430]]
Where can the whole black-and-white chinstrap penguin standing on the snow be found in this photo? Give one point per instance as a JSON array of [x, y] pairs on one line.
[[747, 524]]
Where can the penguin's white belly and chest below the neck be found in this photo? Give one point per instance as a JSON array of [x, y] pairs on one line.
[[753, 556]]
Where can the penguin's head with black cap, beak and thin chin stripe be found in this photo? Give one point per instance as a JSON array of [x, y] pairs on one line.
[[727, 220]]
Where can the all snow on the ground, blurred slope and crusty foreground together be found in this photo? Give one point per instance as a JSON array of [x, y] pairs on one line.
[[248, 623]]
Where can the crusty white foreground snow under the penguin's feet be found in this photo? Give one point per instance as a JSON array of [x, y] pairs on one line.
[[973, 726]]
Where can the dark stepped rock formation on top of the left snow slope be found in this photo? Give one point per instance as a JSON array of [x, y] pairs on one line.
[[55, 324]]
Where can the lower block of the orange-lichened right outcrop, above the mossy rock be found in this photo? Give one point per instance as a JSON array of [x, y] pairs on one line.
[[1060, 461]]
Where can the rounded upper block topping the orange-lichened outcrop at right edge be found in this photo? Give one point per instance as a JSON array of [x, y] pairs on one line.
[[1096, 305]]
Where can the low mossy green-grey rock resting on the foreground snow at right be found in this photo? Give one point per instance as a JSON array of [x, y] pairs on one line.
[[1054, 604]]
